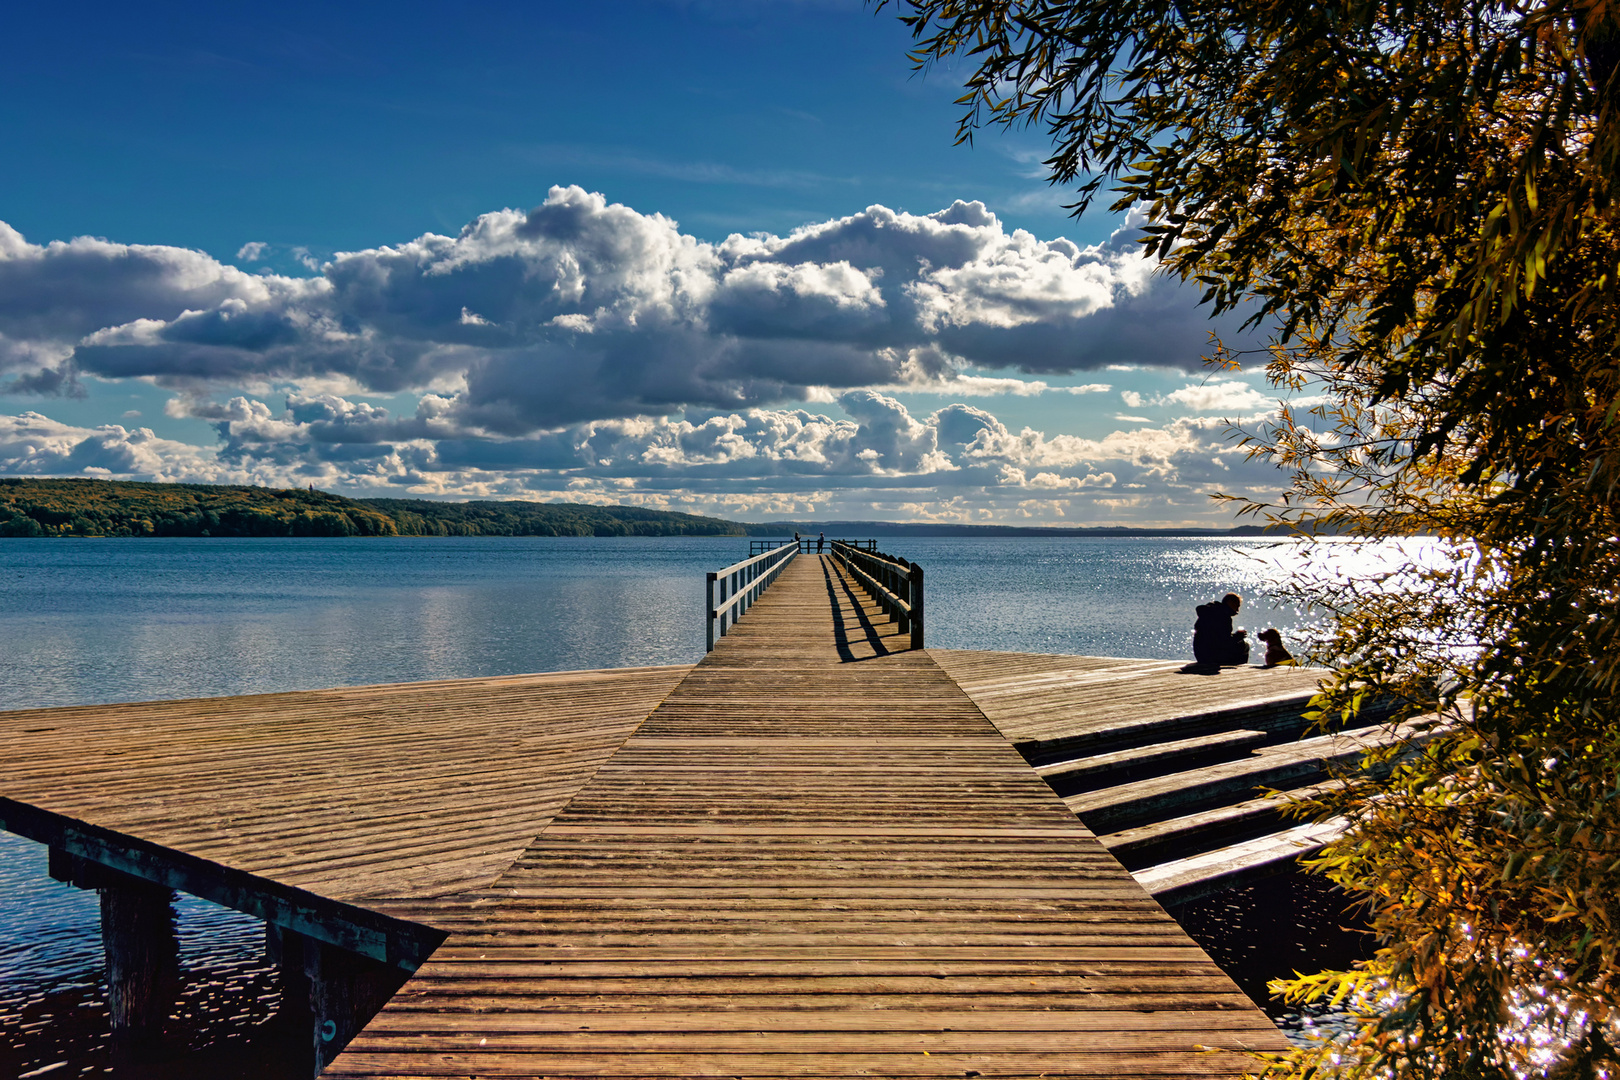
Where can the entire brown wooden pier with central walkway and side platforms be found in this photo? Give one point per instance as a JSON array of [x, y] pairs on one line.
[[817, 854]]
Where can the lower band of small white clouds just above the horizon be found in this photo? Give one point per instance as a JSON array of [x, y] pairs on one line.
[[879, 461]]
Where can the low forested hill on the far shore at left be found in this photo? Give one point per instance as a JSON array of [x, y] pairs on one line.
[[96, 508]]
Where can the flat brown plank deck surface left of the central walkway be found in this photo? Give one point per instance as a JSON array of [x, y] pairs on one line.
[[416, 789]]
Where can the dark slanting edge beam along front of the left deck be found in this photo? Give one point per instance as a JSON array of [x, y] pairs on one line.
[[360, 930]]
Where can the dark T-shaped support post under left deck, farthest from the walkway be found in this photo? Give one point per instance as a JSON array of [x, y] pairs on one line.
[[142, 950]]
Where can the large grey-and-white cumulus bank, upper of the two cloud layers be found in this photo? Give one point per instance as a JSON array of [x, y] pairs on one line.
[[586, 310]]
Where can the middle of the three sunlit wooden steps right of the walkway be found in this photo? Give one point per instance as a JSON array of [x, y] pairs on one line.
[[1282, 767]]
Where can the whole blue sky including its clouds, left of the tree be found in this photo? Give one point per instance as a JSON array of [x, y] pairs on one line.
[[704, 257]]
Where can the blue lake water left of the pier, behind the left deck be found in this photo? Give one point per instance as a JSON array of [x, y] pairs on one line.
[[132, 621]]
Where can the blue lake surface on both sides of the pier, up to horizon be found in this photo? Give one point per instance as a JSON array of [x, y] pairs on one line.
[[129, 621]]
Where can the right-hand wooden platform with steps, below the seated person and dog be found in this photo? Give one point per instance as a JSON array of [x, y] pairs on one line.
[[1172, 765]]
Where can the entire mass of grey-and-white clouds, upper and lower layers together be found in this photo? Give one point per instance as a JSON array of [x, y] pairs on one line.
[[587, 351]]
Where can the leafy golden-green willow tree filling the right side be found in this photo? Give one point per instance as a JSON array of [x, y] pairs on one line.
[[1418, 200]]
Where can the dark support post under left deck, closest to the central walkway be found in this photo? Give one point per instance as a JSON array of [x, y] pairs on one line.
[[331, 992]]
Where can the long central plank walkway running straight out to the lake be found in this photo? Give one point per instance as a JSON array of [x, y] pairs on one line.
[[819, 859]]
